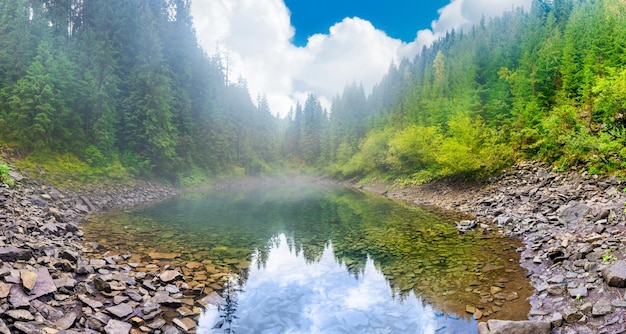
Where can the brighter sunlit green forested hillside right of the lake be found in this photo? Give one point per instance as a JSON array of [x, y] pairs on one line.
[[546, 84]]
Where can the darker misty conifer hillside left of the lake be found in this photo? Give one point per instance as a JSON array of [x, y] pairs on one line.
[[125, 83]]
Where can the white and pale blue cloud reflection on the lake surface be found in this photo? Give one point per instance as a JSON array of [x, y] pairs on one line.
[[288, 294]]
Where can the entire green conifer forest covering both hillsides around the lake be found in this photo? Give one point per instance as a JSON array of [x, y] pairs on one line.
[[124, 84]]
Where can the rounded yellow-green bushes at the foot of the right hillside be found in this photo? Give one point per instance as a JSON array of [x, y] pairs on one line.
[[417, 154]]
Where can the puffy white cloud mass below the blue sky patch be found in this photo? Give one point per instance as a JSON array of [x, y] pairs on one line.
[[257, 36]]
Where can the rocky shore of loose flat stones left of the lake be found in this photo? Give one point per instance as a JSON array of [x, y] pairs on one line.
[[52, 282]]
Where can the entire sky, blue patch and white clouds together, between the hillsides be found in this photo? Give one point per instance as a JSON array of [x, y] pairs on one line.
[[287, 49]]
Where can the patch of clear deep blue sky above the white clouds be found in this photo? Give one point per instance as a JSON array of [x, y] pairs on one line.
[[398, 18]]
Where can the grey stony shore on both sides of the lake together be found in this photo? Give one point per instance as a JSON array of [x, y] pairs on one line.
[[573, 227]]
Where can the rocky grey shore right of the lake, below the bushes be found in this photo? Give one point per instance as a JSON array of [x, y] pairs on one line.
[[573, 226]]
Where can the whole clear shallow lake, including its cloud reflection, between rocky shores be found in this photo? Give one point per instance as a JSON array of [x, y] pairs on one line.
[[315, 258]]
